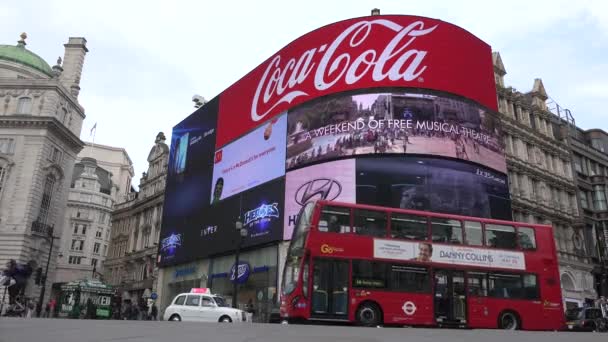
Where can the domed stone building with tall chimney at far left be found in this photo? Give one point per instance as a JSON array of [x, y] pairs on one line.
[[40, 125]]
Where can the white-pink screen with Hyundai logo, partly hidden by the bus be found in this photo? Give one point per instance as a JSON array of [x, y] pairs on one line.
[[332, 181]]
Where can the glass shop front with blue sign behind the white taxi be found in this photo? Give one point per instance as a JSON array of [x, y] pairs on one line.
[[257, 289]]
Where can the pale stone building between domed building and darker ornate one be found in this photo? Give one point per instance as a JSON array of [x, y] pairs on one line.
[[101, 179]]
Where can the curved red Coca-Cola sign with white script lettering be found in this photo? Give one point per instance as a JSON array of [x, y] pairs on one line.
[[368, 52]]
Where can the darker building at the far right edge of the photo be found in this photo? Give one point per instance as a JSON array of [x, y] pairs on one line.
[[590, 157]]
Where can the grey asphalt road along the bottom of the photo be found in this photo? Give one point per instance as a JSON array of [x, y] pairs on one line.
[[64, 330]]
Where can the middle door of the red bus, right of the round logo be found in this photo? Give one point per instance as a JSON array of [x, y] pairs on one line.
[[450, 297]]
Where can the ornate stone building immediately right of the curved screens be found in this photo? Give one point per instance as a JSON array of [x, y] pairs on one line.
[[542, 180]]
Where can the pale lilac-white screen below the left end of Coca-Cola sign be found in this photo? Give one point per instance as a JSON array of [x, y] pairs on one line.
[[252, 160]]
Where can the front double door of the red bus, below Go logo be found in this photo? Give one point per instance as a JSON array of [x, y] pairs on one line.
[[330, 289]]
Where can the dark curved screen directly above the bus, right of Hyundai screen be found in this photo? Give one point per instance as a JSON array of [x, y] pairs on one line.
[[433, 184]]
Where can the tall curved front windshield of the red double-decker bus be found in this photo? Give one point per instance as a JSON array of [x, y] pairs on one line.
[[296, 248]]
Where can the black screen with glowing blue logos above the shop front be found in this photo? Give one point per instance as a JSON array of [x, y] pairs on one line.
[[212, 229]]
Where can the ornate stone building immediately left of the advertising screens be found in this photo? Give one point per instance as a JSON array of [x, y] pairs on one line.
[[131, 261]]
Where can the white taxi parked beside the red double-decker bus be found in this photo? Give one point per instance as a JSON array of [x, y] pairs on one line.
[[201, 306]]
